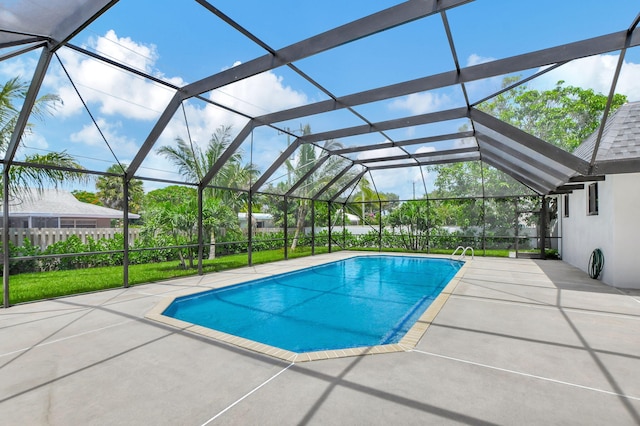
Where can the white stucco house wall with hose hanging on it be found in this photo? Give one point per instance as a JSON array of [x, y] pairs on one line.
[[615, 230]]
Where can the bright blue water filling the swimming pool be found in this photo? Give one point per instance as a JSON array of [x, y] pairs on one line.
[[360, 301]]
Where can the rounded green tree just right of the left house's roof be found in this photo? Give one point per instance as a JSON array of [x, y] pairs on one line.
[[111, 190]]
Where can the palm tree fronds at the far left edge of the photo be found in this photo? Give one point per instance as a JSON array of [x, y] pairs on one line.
[[21, 178]]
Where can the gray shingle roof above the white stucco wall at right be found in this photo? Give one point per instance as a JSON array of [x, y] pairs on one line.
[[620, 138]]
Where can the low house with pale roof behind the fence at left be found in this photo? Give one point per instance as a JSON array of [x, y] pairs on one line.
[[51, 208]]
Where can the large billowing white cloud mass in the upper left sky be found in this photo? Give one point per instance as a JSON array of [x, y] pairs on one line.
[[119, 100]]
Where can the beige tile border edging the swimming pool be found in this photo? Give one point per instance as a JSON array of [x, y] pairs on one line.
[[408, 342]]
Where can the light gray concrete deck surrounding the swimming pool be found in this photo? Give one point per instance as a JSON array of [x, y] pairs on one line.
[[519, 341]]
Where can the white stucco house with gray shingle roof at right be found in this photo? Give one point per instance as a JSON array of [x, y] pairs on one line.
[[605, 214]]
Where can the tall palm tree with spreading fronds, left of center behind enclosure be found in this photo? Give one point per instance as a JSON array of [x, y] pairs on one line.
[[194, 163]]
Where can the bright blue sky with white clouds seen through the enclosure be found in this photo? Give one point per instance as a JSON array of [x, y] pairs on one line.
[[180, 42]]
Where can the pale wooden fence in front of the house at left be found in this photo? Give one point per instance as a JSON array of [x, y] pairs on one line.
[[44, 237]]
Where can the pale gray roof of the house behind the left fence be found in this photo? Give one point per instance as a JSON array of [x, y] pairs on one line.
[[58, 203]]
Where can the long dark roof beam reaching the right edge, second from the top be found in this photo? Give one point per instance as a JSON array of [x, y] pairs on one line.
[[567, 52]]
